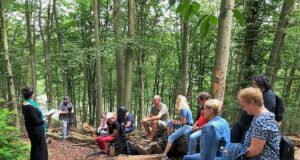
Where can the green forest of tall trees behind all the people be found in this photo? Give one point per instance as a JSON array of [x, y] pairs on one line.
[[109, 53]]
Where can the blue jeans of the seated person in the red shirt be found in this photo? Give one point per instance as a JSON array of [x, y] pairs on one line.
[[192, 139]]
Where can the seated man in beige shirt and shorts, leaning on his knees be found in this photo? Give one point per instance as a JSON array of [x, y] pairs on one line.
[[158, 117]]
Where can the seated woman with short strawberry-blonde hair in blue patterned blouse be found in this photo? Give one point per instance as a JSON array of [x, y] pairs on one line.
[[263, 134]]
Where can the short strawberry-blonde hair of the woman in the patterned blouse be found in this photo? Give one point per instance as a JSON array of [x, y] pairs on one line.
[[251, 94]]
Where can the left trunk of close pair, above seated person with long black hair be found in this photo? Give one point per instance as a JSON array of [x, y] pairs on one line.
[[119, 54]]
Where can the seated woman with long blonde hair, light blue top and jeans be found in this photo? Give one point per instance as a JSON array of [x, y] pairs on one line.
[[185, 123]]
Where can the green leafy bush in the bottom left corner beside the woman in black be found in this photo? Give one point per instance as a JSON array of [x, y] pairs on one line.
[[11, 146]]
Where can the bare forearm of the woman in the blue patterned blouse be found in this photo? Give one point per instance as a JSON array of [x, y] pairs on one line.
[[256, 147]]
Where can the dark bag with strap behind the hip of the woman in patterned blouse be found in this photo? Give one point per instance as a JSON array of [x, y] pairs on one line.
[[286, 151]]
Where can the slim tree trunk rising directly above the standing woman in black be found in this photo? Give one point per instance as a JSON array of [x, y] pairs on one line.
[[28, 14]]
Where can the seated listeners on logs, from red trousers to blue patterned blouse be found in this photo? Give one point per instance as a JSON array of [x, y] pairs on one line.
[[210, 131]]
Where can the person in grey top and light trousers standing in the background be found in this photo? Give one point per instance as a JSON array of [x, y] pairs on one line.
[[66, 108]]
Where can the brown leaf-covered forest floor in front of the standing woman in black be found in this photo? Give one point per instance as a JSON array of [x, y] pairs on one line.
[[67, 151]]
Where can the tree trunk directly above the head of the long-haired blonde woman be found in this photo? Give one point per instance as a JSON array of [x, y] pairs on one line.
[[184, 76]]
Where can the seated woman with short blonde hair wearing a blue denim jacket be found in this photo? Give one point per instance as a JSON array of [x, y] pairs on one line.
[[215, 135]]
